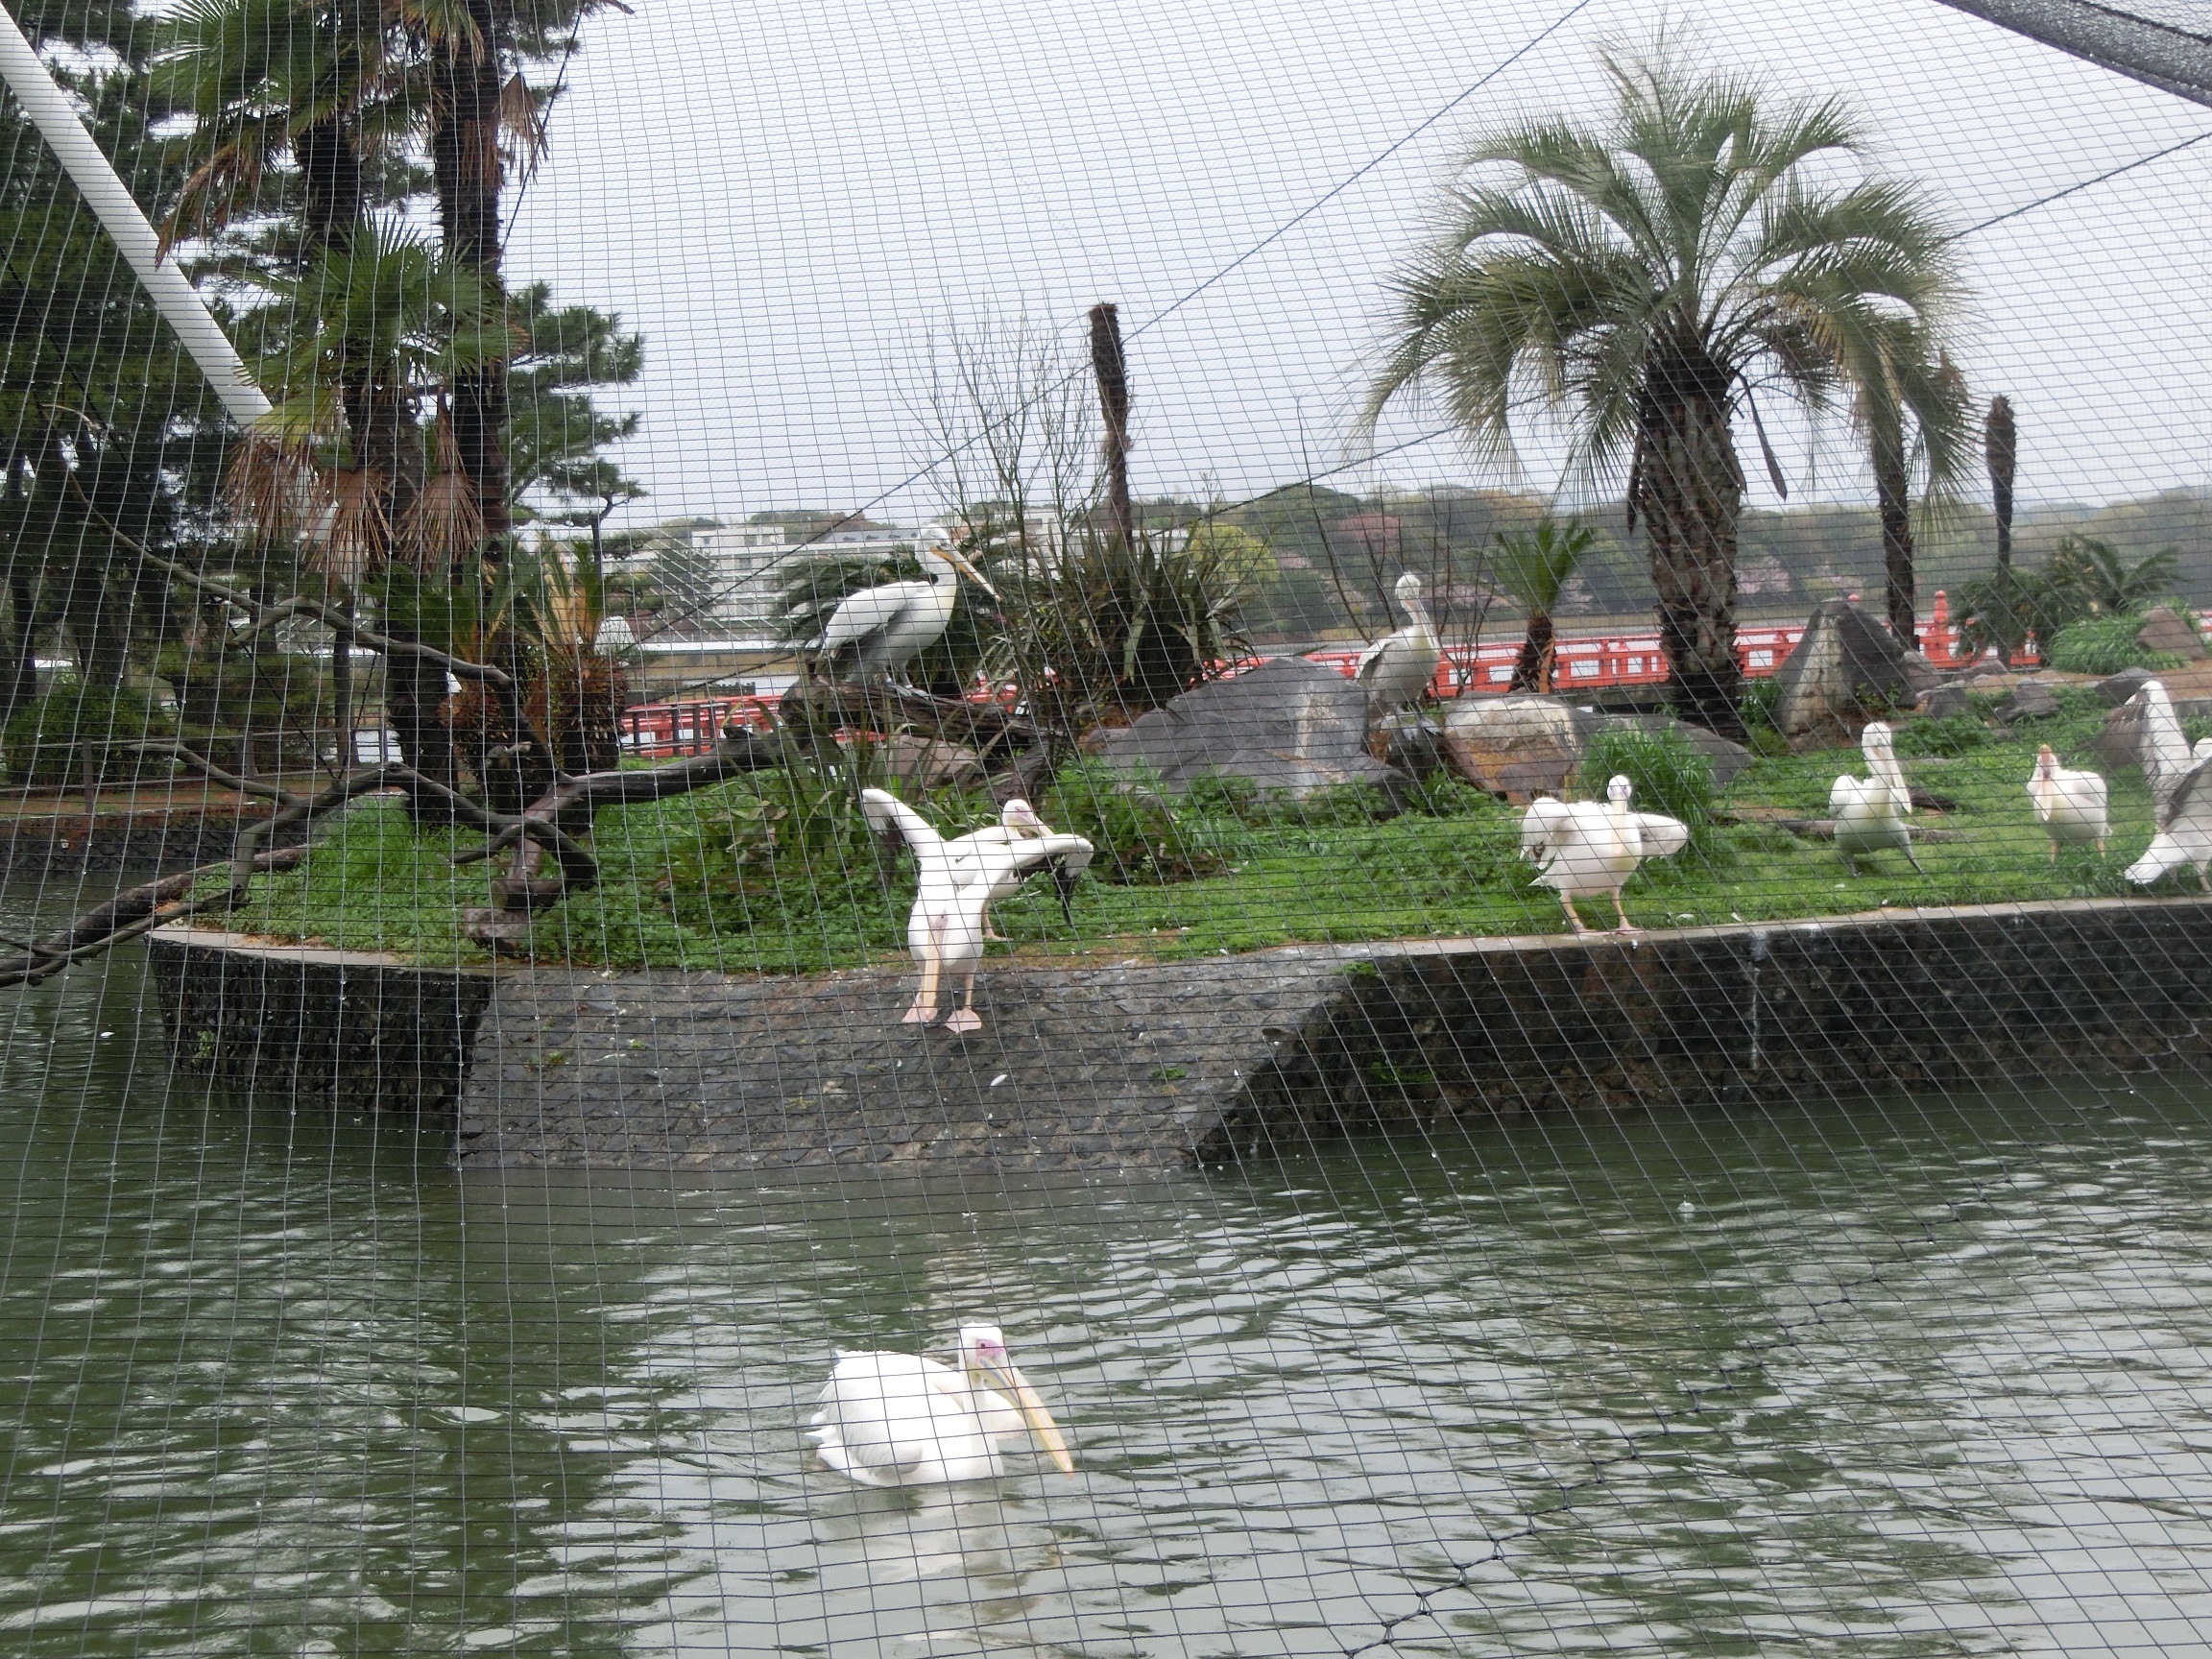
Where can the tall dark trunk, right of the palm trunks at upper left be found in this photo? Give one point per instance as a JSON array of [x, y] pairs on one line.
[[468, 171]]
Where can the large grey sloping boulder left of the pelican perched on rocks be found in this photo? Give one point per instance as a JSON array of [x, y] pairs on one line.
[[1288, 724]]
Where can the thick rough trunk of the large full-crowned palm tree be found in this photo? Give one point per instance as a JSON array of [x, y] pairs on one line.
[[1689, 490]]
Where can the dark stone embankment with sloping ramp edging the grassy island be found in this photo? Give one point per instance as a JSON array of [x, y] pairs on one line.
[[1169, 1065]]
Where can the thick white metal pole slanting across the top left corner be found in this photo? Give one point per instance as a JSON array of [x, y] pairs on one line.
[[127, 227]]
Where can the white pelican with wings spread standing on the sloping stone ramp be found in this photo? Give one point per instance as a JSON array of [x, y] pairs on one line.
[[959, 881]]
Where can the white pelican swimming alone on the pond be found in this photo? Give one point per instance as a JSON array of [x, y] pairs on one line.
[[908, 1421]]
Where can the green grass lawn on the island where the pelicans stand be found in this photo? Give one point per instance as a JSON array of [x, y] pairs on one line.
[[1324, 875]]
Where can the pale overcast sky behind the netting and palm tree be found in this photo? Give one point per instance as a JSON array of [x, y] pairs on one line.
[[793, 200]]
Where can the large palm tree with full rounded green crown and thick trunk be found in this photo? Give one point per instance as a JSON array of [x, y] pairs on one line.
[[1642, 280]]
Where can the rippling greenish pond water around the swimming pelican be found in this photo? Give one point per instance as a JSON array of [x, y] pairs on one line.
[[1906, 1377]]
